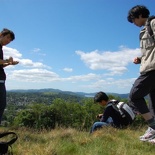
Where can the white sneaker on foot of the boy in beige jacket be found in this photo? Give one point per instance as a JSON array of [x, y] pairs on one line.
[[149, 134]]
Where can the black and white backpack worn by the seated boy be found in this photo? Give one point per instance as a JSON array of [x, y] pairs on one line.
[[126, 113]]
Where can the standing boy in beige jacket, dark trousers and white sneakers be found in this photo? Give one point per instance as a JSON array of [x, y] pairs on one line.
[[145, 83]]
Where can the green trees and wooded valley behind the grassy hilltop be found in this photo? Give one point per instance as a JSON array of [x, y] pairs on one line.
[[48, 111]]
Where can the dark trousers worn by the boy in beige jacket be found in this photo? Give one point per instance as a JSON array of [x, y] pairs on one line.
[[143, 86]]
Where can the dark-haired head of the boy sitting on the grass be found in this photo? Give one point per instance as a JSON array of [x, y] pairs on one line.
[[101, 98]]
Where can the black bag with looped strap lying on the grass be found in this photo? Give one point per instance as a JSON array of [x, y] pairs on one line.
[[6, 146]]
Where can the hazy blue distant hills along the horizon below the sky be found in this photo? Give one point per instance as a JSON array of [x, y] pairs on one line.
[[82, 94]]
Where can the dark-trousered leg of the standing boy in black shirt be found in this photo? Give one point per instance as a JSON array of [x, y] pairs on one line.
[[2, 99]]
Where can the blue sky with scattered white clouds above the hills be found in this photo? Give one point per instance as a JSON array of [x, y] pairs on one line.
[[72, 45]]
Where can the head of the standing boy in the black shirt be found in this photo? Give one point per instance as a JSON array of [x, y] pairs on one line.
[[6, 36]]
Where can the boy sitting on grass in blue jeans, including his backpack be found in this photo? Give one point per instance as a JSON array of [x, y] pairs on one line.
[[116, 114]]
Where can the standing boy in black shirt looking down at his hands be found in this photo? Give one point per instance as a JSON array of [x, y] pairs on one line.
[[6, 36]]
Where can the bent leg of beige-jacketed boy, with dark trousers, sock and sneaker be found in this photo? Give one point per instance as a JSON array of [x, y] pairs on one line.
[[143, 86]]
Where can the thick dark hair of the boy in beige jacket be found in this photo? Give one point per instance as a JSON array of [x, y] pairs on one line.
[[136, 11]]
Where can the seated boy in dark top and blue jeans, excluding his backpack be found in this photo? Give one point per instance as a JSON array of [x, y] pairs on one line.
[[110, 116]]
